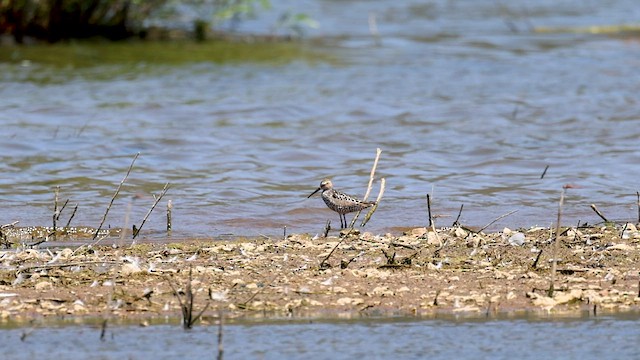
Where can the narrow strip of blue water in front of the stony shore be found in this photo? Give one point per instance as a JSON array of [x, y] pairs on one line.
[[594, 338]]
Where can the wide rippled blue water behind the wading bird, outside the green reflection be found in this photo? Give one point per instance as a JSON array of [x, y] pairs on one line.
[[463, 107]]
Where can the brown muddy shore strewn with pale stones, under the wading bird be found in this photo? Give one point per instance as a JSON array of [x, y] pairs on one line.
[[418, 273]]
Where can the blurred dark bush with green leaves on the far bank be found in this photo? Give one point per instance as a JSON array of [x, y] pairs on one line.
[[56, 20]]
